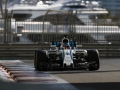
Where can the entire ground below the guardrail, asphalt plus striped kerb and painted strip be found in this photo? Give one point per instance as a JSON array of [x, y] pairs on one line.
[[21, 73]]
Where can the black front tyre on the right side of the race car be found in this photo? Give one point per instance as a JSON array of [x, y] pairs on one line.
[[93, 60]]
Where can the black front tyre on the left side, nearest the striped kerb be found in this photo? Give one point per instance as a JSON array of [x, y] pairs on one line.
[[40, 60]]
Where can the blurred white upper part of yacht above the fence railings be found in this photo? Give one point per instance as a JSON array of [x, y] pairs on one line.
[[28, 10]]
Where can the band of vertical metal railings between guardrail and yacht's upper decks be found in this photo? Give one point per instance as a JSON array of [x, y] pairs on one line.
[[34, 31]]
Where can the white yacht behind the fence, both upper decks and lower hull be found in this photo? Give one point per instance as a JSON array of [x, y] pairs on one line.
[[31, 32]]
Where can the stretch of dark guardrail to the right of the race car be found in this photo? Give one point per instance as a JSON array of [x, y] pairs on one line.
[[105, 50]]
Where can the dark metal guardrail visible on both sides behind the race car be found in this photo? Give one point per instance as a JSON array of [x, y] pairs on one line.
[[26, 51]]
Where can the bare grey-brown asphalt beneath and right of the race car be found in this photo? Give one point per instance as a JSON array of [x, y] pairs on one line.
[[106, 78]]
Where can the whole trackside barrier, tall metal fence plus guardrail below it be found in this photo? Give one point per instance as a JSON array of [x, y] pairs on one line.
[[19, 37]]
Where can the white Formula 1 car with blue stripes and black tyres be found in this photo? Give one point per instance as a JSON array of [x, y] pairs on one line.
[[66, 55]]
